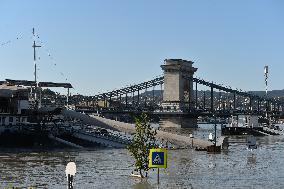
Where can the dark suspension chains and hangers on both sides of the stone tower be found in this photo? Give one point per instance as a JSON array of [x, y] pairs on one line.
[[193, 104]]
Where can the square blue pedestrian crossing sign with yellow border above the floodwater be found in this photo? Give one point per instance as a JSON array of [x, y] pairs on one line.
[[158, 158]]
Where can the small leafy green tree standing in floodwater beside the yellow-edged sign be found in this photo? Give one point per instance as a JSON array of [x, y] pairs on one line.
[[143, 140]]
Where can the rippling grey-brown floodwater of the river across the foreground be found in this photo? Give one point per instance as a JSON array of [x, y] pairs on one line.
[[110, 168]]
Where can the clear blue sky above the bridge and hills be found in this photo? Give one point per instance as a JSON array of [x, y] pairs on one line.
[[102, 45]]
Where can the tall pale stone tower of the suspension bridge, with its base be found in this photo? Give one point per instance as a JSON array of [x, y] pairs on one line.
[[178, 93]]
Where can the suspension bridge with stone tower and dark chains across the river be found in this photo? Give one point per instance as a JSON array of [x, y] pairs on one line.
[[175, 97]]
